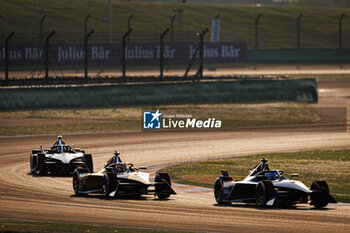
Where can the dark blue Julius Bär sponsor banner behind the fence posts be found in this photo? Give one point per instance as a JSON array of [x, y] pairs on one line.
[[111, 53]]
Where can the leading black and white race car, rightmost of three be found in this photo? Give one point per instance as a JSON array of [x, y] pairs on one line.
[[267, 187]]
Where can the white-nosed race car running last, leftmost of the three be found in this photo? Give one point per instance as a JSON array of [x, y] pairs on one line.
[[59, 159]]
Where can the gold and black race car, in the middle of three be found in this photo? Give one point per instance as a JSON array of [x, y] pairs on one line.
[[119, 179]]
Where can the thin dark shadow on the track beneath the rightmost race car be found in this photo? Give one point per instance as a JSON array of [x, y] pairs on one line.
[[292, 207]]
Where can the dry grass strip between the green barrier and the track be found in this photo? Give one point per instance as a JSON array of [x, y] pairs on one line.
[[53, 121]]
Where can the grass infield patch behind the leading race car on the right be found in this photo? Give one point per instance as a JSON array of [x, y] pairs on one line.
[[330, 165]]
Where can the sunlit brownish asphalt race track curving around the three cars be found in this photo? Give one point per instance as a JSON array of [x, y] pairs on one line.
[[23, 196]]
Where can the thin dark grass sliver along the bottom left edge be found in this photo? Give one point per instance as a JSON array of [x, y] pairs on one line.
[[41, 227]]
